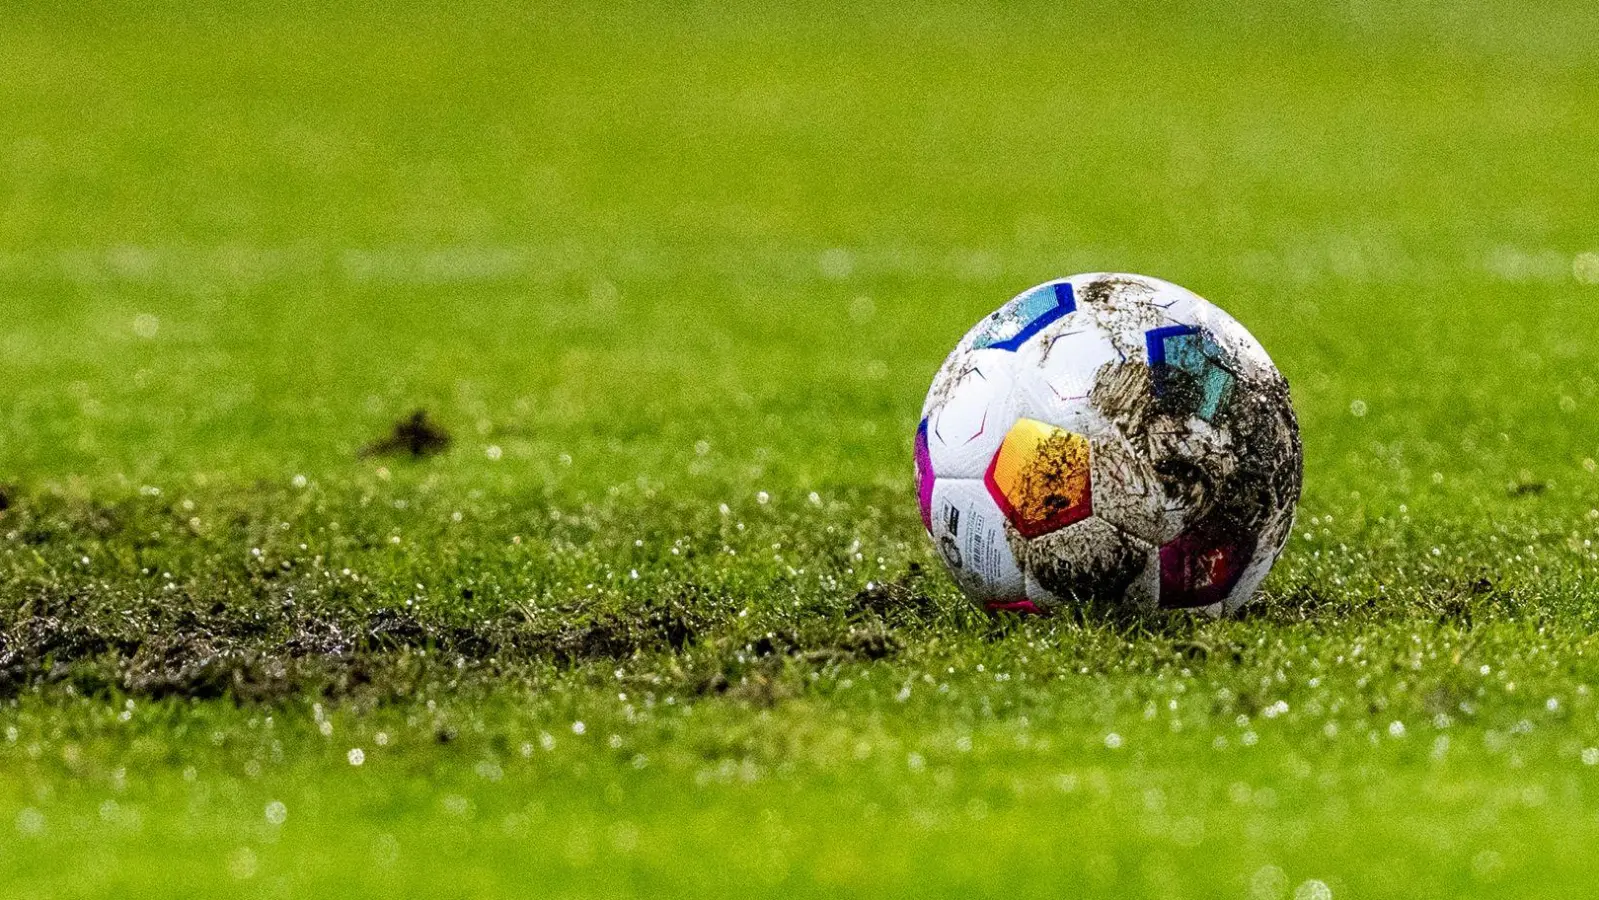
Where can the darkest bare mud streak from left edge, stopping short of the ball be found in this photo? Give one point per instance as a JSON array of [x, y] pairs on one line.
[[253, 656]]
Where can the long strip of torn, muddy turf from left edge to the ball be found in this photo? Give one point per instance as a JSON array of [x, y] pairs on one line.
[[263, 651]]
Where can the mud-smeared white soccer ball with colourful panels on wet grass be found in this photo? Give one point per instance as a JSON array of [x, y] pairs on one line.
[[1109, 444]]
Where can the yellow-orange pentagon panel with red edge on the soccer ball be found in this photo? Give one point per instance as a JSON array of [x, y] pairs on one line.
[[1042, 479]]
